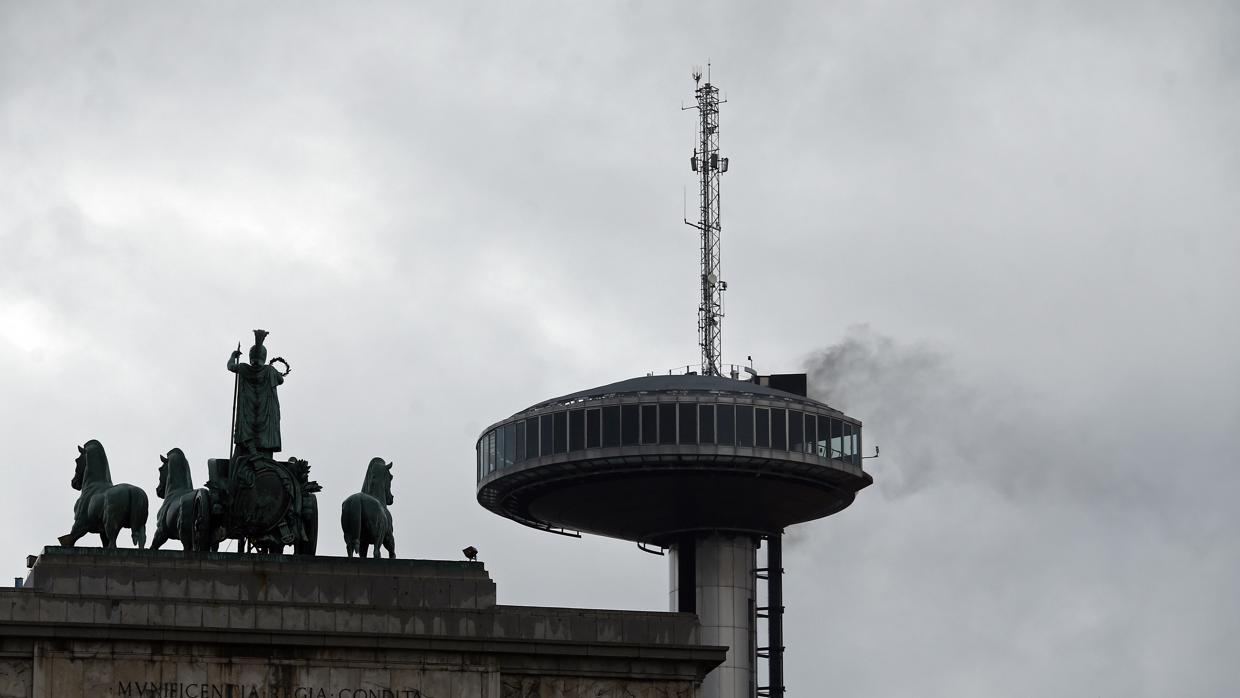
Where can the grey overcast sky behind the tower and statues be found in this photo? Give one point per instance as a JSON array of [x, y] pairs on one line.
[[1003, 235]]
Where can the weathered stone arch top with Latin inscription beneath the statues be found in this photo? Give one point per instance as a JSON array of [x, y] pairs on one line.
[[94, 623]]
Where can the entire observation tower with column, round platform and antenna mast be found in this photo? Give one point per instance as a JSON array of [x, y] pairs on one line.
[[701, 464]]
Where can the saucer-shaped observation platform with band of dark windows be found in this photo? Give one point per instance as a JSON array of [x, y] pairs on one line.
[[653, 458]]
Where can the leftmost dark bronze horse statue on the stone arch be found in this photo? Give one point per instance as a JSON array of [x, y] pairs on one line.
[[104, 508]]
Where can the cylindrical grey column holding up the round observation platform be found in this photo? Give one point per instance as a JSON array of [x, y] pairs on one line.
[[724, 583]]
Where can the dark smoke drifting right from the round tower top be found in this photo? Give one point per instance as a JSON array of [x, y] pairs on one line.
[[939, 423]]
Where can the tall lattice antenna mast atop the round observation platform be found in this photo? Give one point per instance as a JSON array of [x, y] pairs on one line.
[[709, 166]]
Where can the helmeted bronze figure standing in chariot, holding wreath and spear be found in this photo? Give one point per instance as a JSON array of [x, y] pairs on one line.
[[256, 407]]
